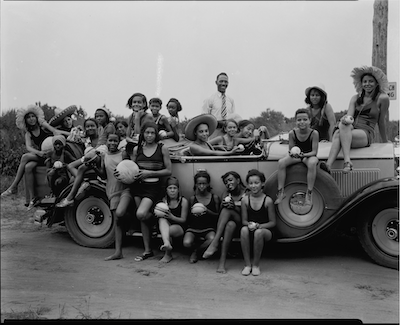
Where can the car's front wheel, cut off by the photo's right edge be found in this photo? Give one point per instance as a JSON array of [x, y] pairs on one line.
[[378, 231]]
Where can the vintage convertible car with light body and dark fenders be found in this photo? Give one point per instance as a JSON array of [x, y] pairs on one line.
[[365, 199]]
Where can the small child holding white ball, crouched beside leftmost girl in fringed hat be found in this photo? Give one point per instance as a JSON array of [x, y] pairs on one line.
[[57, 172]]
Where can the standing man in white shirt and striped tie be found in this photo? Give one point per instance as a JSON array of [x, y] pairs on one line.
[[219, 104]]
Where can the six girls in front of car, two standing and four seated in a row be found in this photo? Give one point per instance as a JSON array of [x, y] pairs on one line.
[[249, 211]]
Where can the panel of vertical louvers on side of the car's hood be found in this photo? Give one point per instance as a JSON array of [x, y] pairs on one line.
[[349, 183]]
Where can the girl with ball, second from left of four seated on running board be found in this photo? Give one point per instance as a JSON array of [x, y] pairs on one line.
[[201, 225]]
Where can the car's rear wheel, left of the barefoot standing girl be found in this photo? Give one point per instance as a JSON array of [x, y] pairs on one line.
[[90, 222]]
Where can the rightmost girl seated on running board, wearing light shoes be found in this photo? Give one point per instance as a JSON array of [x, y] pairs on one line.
[[258, 218]]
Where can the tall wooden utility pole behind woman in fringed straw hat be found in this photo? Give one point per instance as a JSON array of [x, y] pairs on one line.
[[379, 42]]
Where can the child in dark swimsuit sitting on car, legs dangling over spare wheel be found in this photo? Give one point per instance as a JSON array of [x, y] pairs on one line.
[[305, 138]]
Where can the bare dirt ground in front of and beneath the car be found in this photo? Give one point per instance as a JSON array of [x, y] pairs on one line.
[[45, 275]]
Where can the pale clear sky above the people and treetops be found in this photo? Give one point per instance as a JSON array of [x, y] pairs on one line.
[[95, 53]]
